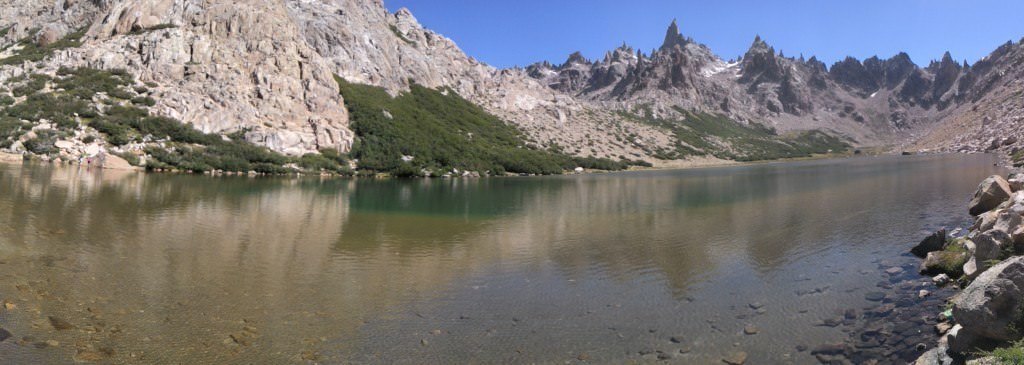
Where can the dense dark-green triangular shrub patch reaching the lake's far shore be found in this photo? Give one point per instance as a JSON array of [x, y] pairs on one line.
[[439, 132]]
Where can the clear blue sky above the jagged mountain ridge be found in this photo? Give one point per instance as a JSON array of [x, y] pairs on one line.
[[522, 32]]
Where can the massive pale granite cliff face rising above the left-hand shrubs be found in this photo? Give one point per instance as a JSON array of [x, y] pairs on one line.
[[224, 67]]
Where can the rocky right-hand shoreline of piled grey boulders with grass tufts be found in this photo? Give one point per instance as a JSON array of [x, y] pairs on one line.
[[985, 267]]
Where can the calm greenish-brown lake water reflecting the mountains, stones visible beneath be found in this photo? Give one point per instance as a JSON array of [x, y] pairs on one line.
[[604, 268]]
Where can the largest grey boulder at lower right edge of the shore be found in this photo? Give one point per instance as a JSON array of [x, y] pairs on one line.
[[992, 306]]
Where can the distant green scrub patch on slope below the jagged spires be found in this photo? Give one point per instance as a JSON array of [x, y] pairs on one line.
[[703, 134]]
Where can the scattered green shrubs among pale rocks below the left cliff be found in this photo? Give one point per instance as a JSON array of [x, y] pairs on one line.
[[122, 118]]
